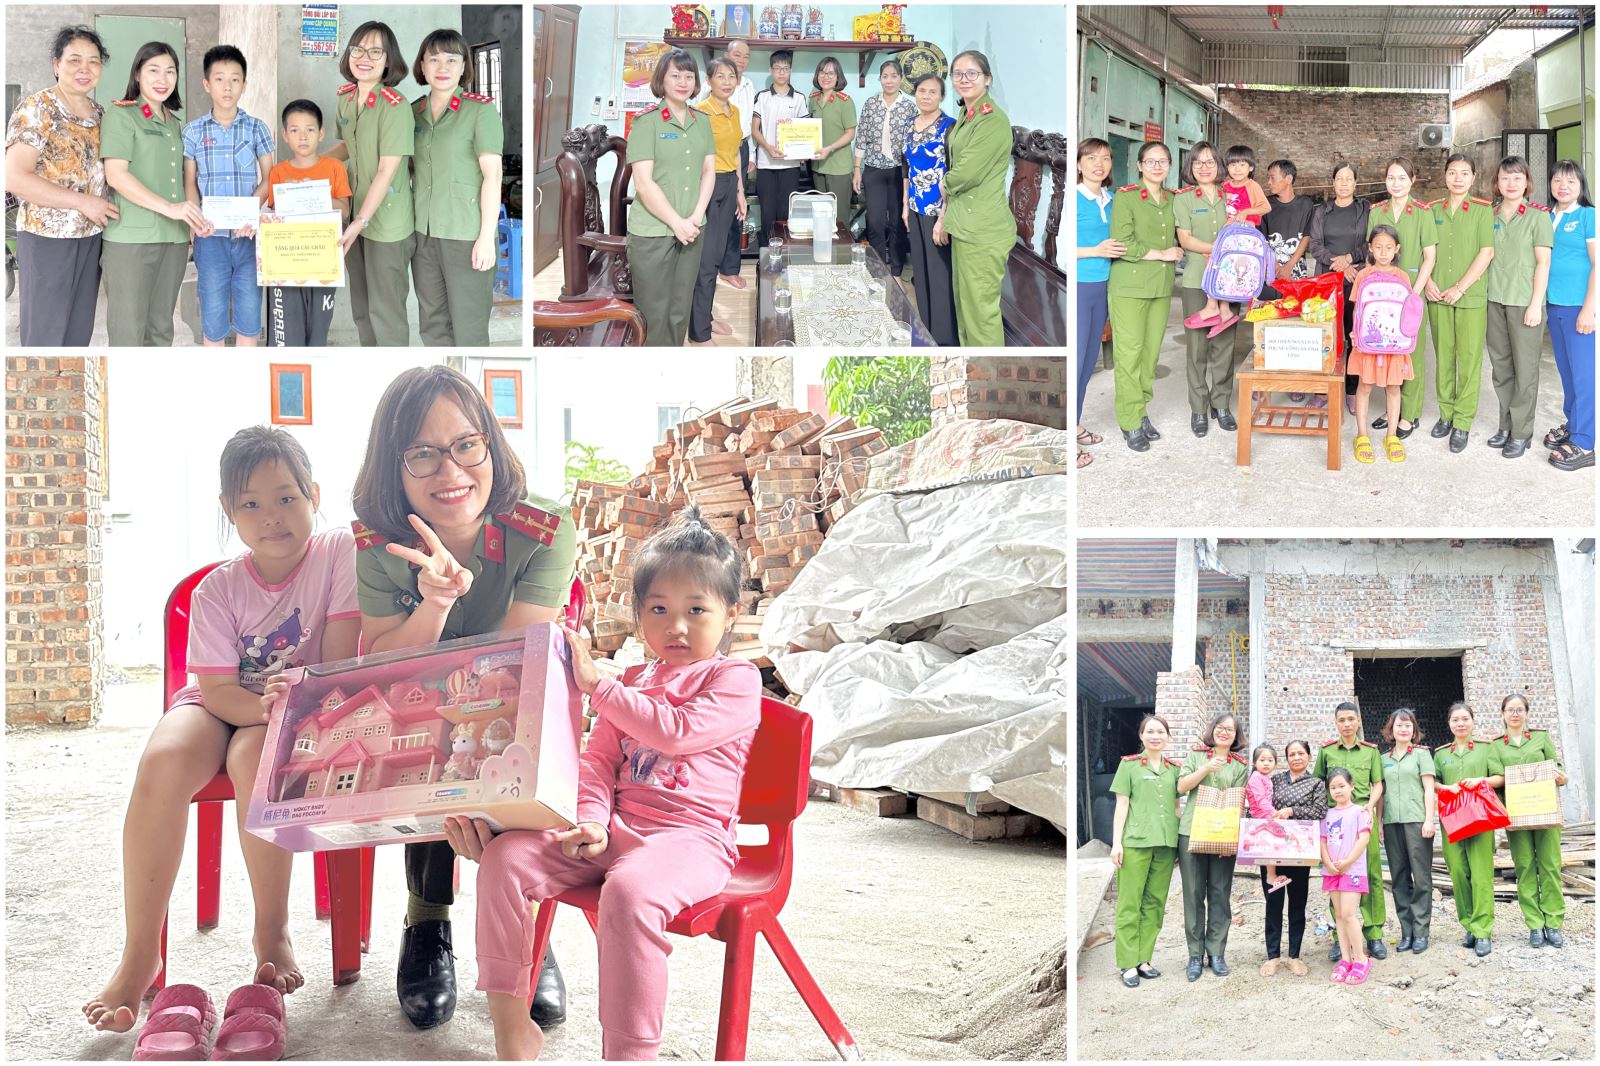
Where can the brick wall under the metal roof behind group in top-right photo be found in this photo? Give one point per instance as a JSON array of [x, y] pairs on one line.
[[1318, 130]]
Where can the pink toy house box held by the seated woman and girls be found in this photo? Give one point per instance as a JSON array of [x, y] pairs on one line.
[[380, 750]]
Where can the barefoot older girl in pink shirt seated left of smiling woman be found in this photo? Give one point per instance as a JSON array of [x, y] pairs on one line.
[[289, 601]]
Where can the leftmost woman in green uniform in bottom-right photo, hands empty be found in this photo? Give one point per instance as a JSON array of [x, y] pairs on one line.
[[1143, 848]]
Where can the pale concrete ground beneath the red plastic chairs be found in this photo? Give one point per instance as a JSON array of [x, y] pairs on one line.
[[892, 916]]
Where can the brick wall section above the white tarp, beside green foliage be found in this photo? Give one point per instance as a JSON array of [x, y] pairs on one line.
[[1028, 390]]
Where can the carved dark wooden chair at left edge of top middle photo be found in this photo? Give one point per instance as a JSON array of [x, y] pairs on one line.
[[594, 257]]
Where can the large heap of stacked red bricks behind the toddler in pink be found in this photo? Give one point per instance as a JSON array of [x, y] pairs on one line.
[[769, 478]]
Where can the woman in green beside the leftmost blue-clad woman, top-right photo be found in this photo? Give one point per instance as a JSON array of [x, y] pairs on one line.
[[1140, 292]]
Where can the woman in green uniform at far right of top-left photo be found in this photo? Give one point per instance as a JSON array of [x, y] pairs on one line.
[[457, 194]]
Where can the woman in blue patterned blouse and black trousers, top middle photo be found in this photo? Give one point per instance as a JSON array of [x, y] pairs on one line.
[[921, 207]]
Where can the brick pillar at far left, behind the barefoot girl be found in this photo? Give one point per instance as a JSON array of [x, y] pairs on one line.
[[54, 487]]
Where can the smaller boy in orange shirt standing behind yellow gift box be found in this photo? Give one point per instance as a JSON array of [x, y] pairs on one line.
[[300, 316]]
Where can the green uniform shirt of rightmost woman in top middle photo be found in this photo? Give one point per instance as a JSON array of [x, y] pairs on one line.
[[978, 148]]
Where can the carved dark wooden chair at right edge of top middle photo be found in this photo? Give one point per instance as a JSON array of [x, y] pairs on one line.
[[1034, 292]]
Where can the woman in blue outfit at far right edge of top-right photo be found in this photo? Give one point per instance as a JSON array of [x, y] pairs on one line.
[[1572, 316]]
